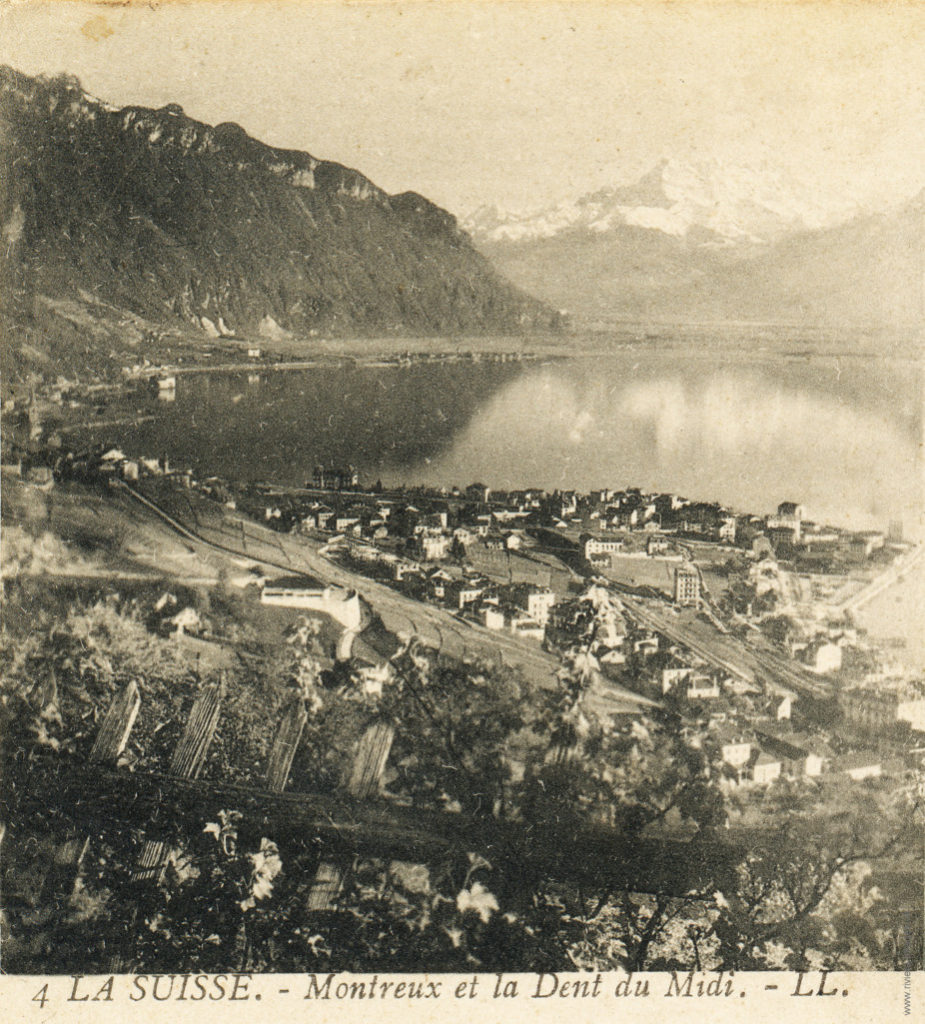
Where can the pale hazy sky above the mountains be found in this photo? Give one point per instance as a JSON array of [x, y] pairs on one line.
[[520, 104]]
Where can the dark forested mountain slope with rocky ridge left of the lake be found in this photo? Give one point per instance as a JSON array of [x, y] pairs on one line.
[[176, 221]]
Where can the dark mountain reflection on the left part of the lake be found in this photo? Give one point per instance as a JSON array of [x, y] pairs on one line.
[[277, 426]]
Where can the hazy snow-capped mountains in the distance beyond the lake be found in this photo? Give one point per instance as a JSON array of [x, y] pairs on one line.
[[716, 243]]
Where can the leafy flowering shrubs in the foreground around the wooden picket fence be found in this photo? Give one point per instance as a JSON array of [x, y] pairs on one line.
[[469, 739]]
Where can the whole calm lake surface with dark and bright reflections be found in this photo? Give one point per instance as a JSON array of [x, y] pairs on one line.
[[843, 436]]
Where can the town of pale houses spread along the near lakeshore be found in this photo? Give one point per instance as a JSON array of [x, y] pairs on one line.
[[738, 625]]
